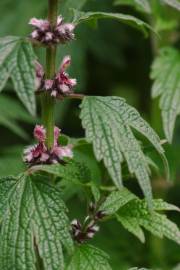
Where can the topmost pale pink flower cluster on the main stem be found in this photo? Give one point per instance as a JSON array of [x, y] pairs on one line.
[[46, 34]]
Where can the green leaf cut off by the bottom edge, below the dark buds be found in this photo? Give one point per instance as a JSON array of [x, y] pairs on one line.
[[87, 257]]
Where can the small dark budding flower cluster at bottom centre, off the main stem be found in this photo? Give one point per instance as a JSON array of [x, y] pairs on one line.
[[87, 230]]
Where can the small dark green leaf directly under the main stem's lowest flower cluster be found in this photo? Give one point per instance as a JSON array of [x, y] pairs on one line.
[[71, 172]]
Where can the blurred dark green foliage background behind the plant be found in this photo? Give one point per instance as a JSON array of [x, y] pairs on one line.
[[108, 58]]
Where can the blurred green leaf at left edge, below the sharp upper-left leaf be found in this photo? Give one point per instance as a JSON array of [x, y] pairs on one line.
[[10, 113]]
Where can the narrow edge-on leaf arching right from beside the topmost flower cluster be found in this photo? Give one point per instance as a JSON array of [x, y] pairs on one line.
[[80, 17]]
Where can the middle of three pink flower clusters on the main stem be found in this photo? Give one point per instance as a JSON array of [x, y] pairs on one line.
[[61, 85]]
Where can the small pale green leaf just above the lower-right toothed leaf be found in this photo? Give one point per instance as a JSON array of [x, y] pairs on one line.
[[116, 200]]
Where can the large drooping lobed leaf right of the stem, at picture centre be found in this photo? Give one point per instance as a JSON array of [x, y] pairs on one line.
[[108, 122]]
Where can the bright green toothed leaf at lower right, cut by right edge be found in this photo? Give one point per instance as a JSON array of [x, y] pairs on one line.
[[136, 214]]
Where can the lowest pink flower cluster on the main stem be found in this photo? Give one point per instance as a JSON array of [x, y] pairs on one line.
[[39, 154]]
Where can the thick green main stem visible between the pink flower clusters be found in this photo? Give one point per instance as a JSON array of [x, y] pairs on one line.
[[47, 102]]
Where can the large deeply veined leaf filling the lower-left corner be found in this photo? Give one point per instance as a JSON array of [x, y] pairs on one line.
[[34, 225]]
